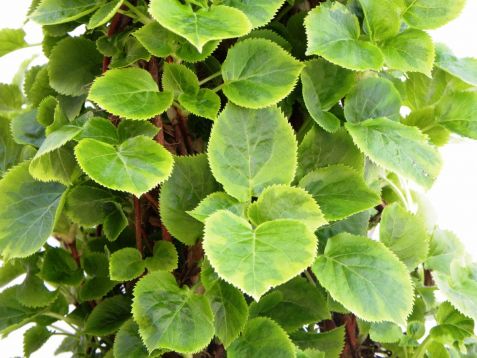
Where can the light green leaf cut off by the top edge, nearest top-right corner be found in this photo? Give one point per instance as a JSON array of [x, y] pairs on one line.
[[431, 14]]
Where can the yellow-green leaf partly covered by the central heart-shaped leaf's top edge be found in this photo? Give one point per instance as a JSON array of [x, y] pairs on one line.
[[285, 202]]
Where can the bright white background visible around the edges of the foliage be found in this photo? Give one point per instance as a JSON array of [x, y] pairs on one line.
[[454, 195]]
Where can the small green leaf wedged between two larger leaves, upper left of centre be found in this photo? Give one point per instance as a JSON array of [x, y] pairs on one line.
[[179, 79]]
